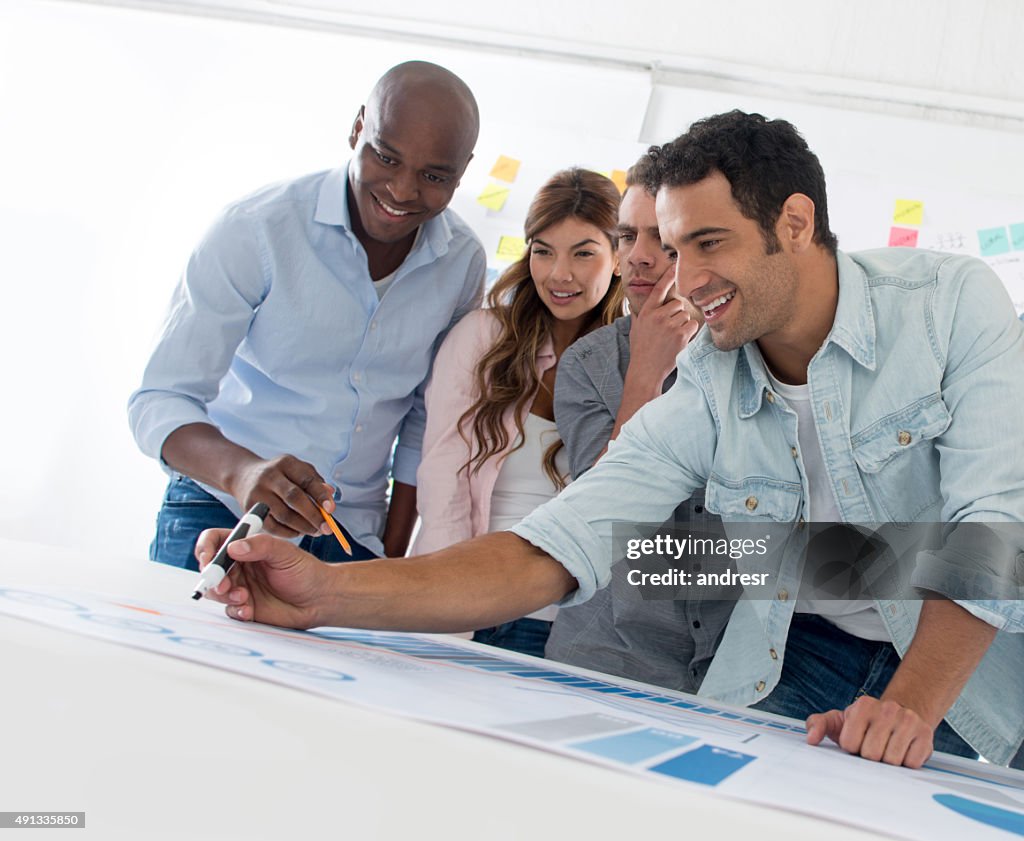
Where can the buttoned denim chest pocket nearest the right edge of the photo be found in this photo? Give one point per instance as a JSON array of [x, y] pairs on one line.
[[899, 460]]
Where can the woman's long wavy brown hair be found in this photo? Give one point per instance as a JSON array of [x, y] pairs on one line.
[[506, 376]]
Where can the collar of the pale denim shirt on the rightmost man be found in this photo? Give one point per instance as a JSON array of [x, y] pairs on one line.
[[854, 330]]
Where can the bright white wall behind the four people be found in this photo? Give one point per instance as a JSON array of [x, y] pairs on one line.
[[124, 132]]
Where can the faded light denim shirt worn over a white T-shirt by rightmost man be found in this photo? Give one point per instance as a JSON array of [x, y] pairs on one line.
[[919, 401]]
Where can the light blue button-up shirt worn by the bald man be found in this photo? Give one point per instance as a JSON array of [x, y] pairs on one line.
[[276, 335]]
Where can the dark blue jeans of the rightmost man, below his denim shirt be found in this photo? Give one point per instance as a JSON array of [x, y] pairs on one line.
[[829, 669]]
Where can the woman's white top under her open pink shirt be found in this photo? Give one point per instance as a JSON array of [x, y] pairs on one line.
[[523, 486]]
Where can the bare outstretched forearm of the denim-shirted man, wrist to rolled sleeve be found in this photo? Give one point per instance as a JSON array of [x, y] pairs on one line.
[[477, 584]]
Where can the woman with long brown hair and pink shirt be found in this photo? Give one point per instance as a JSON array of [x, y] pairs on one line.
[[491, 451]]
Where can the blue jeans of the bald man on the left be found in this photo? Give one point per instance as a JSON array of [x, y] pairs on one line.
[[188, 510]]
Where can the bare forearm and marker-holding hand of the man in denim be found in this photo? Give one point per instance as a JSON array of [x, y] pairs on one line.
[[482, 582]]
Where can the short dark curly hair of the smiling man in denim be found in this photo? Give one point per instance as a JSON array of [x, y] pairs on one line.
[[765, 162]]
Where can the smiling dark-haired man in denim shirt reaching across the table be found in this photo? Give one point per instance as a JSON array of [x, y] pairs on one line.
[[905, 366]]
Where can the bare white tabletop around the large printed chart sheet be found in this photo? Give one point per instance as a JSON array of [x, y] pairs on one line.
[[117, 733]]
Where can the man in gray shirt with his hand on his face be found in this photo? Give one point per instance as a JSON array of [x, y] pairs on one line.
[[604, 380]]
